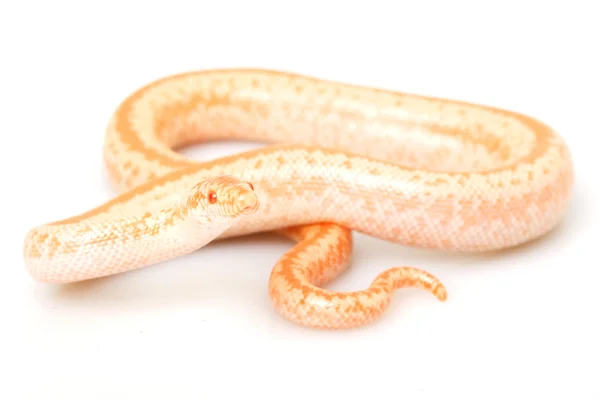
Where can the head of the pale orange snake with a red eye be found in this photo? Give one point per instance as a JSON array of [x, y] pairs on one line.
[[222, 198]]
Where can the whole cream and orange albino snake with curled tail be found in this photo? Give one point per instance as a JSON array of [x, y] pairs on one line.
[[415, 170]]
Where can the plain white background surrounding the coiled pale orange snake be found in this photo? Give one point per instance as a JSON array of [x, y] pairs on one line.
[[516, 324]]
